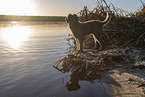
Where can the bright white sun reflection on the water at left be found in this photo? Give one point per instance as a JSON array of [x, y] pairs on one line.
[[15, 37]]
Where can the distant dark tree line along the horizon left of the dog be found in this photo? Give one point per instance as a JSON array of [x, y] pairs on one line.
[[31, 18]]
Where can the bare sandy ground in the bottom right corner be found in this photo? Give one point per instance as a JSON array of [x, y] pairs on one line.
[[125, 83]]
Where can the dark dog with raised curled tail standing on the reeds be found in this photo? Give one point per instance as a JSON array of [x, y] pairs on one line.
[[81, 29]]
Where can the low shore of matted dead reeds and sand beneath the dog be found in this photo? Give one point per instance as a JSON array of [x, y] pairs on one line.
[[120, 78]]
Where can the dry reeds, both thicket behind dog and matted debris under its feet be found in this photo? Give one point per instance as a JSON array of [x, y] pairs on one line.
[[124, 38]]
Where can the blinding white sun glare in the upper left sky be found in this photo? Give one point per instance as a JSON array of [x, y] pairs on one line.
[[17, 7]]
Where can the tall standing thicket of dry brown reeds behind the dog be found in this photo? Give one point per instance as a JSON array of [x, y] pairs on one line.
[[124, 30]]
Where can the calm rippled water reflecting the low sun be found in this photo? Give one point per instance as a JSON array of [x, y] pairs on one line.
[[27, 50]]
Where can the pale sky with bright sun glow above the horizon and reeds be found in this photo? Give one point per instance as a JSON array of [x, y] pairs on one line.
[[58, 7]]
